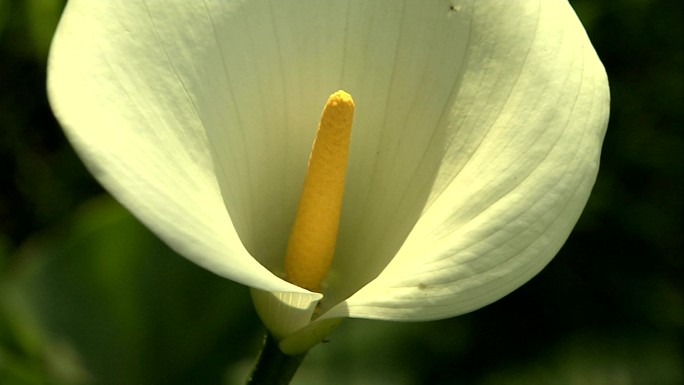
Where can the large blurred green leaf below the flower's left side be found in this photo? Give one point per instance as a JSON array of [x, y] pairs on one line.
[[102, 301]]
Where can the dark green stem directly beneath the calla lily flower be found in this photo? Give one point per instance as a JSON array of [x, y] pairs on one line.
[[274, 367]]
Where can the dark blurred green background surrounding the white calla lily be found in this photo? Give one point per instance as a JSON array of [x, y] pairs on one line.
[[89, 296]]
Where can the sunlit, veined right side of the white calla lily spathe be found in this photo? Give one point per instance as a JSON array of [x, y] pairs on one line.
[[521, 156]]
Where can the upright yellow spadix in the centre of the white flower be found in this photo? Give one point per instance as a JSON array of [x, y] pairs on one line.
[[312, 241]]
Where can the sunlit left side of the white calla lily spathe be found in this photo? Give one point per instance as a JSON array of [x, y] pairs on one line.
[[123, 81]]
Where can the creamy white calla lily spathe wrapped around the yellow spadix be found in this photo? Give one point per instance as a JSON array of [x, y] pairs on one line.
[[475, 145]]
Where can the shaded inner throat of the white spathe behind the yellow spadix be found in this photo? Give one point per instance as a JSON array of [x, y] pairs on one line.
[[275, 62]]
